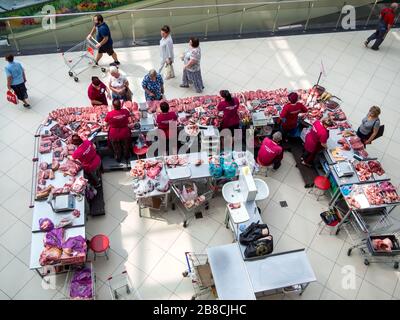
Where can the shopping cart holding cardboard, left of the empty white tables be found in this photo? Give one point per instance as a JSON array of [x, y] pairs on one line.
[[199, 271]]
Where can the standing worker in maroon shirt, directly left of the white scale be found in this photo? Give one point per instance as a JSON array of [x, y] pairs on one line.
[[119, 133]]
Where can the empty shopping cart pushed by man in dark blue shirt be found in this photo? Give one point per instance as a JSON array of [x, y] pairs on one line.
[[81, 57]]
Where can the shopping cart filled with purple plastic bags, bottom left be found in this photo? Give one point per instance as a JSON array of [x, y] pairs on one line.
[[80, 283]]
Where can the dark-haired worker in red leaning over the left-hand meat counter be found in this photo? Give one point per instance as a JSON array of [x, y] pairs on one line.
[[88, 157]]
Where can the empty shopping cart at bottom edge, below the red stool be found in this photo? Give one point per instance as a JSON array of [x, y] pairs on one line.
[[121, 287]]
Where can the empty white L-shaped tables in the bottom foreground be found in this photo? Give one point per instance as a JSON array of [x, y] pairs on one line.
[[236, 279]]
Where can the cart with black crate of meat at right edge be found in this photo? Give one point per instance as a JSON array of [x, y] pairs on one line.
[[371, 255]]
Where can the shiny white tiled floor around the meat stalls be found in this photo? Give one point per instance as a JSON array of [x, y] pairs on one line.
[[152, 251]]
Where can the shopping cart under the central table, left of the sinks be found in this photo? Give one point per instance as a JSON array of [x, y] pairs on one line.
[[192, 208]]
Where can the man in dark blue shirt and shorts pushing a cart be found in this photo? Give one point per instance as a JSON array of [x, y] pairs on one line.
[[103, 37]]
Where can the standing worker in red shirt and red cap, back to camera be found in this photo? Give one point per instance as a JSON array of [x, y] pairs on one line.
[[290, 115]]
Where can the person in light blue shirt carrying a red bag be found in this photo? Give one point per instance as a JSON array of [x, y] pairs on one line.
[[16, 79]]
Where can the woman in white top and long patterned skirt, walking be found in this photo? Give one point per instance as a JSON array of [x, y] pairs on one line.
[[191, 69]]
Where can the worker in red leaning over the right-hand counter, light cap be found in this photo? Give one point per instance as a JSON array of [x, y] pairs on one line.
[[316, 140]]
